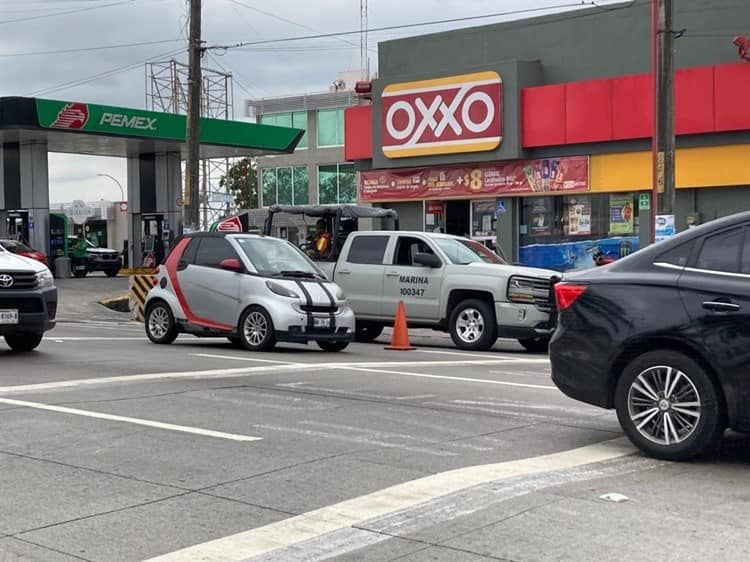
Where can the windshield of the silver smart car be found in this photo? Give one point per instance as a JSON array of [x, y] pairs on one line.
[[271, 256]]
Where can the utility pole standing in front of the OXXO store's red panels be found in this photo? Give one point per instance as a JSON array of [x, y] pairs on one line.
[[664, 139]]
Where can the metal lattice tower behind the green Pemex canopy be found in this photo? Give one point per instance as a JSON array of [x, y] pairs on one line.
[[166, 91]]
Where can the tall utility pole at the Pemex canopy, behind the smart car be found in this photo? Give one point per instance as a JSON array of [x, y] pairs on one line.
[[192, 199]]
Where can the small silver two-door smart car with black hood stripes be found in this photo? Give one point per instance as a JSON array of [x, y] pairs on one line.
[[254, 290]]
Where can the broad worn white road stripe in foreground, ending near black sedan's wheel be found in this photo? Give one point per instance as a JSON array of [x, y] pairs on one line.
[[354, 512]]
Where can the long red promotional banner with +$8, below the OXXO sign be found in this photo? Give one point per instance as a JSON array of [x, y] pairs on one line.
[[570, 174]]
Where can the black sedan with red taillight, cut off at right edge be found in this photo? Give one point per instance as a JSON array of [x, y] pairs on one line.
[[663, 337]]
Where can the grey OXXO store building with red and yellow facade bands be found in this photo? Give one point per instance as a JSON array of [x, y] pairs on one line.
[[547, 148]]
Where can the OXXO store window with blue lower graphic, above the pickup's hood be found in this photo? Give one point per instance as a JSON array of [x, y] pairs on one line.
[[564, 232]]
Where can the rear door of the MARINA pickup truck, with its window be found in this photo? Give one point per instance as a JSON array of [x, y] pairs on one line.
[[360, 274]]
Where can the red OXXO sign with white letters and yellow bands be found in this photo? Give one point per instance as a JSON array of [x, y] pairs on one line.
[[448, 115]]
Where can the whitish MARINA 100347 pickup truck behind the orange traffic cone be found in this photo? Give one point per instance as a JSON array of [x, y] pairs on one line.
[[447, 283]]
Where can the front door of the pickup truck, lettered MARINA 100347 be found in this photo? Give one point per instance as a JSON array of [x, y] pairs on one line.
[[417, 285]]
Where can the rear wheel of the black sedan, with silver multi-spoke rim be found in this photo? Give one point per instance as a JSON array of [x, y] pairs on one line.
[[668, 406]]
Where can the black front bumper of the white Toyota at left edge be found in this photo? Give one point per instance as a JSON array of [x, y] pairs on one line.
[[37, 309]]
